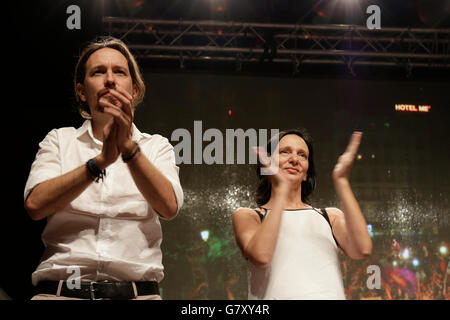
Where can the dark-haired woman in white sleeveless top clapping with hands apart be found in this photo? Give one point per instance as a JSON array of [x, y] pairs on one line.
[[292, 247]]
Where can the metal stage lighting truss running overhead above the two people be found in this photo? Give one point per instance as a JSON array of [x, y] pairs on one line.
[[241, 42]]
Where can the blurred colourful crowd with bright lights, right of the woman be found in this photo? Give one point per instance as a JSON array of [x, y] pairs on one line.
[[413, 270]]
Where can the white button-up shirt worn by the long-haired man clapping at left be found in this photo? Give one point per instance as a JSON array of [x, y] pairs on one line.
[[110, 232]]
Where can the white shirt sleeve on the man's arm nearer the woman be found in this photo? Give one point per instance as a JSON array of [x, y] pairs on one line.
[[165, 162]]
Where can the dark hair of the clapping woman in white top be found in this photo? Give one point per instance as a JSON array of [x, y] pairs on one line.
[[264, 189]]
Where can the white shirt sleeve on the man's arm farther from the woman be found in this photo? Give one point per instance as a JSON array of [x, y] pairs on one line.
[[46, 165]]
